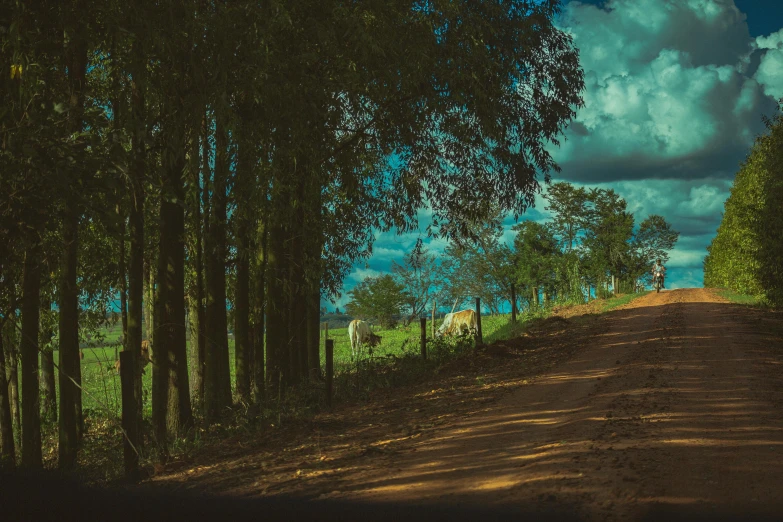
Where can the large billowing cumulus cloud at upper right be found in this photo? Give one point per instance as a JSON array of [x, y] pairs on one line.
[[667, 92]]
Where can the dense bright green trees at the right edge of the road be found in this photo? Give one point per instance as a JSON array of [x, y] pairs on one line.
[[745, 254]]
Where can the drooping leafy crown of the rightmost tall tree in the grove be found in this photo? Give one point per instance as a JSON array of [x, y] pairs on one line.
[[448, 105]]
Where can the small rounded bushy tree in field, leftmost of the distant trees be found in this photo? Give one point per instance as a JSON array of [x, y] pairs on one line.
[[379, 298]]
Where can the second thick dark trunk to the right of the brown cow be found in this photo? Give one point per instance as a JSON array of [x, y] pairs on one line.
[[217, 389]]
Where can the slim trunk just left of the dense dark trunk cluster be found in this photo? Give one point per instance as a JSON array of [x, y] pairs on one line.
[[259, 313]]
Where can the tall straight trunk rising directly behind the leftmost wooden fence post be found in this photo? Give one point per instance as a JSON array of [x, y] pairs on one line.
[[136, 278]]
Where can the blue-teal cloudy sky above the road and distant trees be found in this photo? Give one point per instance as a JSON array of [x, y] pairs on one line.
[[675, 93]]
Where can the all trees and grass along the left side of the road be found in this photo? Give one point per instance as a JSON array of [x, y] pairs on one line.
[[207, 189]]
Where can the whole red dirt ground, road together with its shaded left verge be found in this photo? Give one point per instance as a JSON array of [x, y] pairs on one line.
[[672, 400]]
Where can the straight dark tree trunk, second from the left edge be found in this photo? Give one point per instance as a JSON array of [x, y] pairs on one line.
[[31, 398]]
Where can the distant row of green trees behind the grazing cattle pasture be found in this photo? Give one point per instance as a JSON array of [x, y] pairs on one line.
[[590, 246]]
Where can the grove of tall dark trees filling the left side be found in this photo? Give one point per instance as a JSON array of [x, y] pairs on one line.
[[227, 162]]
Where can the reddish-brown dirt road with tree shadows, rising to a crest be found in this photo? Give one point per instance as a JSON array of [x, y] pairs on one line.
[[674, 399]]
